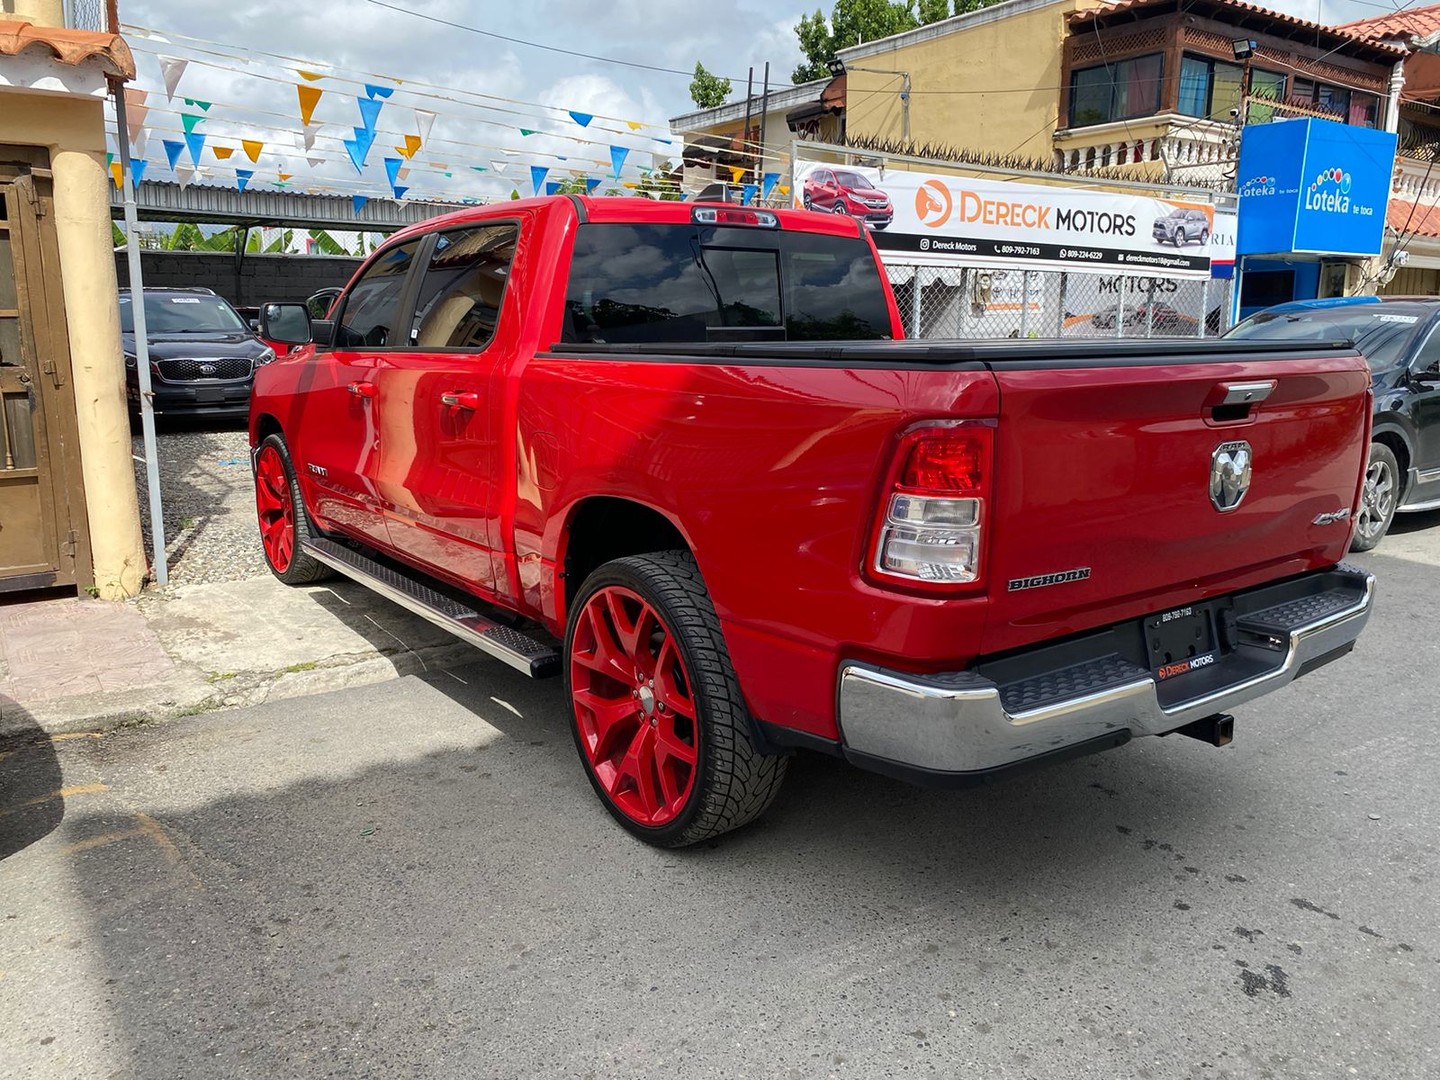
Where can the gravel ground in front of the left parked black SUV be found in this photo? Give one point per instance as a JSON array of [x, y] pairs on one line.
[[208, 503]]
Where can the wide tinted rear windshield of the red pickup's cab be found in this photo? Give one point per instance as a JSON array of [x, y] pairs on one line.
[[688, 283]]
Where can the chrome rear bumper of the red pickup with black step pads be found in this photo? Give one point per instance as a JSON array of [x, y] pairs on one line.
[[957, 728]]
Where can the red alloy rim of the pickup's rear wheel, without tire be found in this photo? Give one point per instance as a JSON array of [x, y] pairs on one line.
[[636, 708]]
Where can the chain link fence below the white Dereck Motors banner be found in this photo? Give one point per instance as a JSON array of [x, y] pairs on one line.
[[983, 303]]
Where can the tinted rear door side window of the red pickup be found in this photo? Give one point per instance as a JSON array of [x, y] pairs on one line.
[[463, 287]]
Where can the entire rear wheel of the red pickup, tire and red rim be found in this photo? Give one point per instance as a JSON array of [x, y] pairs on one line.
[[656, 708]]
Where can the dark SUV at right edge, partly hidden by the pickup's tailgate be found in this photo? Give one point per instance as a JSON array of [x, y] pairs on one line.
[[1400, 338]]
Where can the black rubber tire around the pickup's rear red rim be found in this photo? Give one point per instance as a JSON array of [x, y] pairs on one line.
[[734, 784]]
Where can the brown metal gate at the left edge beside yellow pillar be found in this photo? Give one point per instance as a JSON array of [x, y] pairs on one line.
[[44, 538]]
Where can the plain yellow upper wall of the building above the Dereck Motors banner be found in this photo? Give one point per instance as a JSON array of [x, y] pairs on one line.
[[1002, 84]]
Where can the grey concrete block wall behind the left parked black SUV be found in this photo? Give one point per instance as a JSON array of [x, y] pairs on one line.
[[260, 279]]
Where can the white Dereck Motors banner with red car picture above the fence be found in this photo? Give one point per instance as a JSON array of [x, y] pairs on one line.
[[919, 218]]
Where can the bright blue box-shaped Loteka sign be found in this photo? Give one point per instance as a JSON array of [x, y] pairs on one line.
[[1314, 186]]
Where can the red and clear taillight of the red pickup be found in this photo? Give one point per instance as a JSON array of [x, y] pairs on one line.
[[935, 508]]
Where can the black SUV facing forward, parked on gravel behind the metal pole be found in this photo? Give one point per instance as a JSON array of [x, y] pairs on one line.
[[202, 354]]
